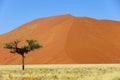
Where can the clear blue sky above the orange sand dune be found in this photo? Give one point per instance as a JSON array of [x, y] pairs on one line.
[[14, 13]]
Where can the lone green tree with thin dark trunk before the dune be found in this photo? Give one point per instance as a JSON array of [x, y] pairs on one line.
[[31, 45]]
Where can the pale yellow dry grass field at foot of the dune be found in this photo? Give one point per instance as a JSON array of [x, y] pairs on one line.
[[61, 72]]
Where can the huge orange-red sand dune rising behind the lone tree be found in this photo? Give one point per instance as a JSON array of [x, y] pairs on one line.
[[66, 39]]
